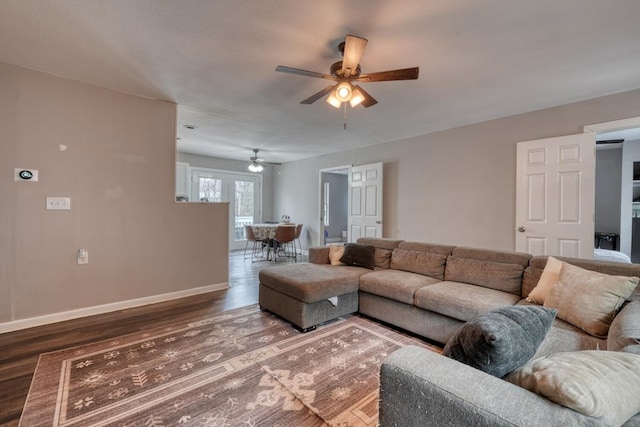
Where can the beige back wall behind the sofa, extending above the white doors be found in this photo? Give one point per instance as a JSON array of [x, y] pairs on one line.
[[455, 186]]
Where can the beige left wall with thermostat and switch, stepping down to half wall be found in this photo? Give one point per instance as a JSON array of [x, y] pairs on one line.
[[118, 170]]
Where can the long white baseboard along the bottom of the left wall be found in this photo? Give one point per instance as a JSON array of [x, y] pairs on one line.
[[46, 319]]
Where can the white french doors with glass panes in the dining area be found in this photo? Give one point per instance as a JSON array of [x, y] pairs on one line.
[[241, 191]]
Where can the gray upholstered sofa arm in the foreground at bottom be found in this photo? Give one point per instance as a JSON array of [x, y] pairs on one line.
[[419, 387]]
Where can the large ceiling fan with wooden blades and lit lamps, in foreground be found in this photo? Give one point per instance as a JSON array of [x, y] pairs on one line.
[[346, 72]]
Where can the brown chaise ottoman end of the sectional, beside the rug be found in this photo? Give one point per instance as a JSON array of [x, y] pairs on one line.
[[309, 294]]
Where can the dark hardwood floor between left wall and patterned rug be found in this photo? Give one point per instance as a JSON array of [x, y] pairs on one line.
[[19, 350]]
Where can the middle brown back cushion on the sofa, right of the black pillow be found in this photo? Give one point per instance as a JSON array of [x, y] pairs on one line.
[[421, 258]]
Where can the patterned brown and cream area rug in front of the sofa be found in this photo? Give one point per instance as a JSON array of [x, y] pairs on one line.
[[242, 367]]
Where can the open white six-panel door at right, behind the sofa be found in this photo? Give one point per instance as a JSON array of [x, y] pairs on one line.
[[555, 191]]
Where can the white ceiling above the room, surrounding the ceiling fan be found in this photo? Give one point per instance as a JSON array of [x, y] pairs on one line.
[[478, 59]]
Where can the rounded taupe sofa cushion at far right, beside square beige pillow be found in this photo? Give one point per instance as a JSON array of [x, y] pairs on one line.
[[624, 332]]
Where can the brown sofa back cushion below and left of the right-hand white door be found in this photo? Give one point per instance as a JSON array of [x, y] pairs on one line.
[[490, 274]]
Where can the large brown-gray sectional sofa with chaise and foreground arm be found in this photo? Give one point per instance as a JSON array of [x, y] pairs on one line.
[[432, 290]]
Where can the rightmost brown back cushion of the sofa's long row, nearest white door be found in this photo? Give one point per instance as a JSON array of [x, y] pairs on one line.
[[497, 270]]
